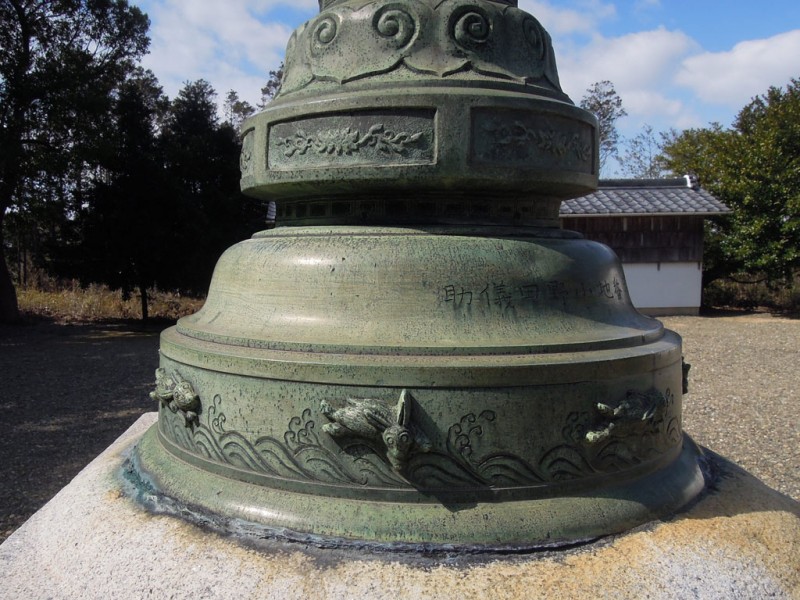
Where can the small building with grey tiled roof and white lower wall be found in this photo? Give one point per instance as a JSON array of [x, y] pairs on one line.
[[656, 228]]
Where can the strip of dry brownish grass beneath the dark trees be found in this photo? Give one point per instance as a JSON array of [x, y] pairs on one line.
[[68, 302]]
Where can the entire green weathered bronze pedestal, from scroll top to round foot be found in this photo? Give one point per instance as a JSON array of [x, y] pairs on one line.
[[419, 354]]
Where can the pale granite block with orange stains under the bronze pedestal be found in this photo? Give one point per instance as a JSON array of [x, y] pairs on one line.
[[92, 541]]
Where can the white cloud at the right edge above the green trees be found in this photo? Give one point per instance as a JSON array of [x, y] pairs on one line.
[[732, 78]]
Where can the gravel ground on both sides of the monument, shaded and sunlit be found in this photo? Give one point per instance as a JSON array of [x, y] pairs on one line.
[[69, 391]]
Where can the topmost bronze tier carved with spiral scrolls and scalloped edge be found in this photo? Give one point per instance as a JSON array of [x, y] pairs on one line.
[[431, 39]]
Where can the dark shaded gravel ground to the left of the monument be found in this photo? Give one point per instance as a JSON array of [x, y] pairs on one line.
[[68, 391]]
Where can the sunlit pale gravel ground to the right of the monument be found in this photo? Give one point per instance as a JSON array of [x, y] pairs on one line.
[[744, 392]]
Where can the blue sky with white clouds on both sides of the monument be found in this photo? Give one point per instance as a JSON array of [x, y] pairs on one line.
[[675, 63]]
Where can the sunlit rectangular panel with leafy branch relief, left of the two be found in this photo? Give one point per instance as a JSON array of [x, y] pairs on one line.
[[363, 138]]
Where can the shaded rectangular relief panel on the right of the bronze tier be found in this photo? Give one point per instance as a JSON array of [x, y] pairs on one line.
[[529, 140]]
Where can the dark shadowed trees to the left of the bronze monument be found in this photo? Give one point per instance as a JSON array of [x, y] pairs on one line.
[[103, 178]]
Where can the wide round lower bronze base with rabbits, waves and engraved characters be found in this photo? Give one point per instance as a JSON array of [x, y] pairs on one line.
[[423, 386]]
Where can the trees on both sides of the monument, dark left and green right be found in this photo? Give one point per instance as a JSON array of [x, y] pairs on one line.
[[105, 180]]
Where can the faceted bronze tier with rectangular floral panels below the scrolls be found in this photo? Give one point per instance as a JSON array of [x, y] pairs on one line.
[[519, 149]]
